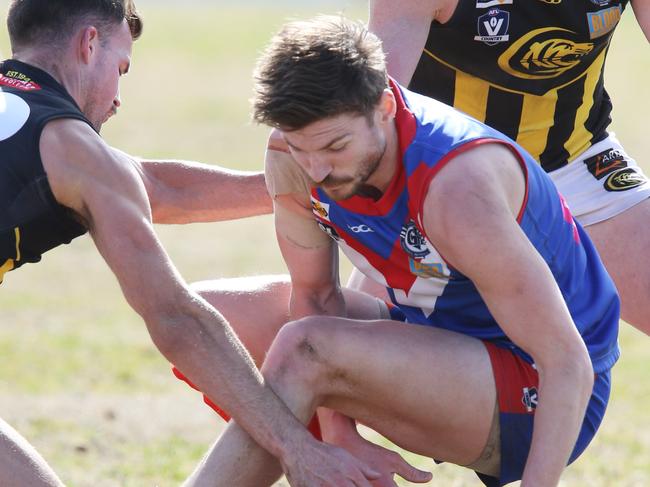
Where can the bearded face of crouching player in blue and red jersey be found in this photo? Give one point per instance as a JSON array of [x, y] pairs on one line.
[[340, 154]]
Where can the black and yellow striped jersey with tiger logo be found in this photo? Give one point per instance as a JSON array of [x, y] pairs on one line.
[[533, 69]]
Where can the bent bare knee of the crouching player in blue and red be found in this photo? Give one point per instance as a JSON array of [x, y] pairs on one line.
[[295, 355]]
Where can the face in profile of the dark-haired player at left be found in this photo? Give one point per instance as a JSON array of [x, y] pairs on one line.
[[113, 59]]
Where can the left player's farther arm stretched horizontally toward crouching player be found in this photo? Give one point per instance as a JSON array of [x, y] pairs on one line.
[[187, 192]]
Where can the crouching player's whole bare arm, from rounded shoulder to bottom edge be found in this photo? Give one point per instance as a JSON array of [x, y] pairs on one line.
[[472, 221]]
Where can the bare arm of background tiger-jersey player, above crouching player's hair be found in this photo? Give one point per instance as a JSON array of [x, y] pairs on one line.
[[403, 27]]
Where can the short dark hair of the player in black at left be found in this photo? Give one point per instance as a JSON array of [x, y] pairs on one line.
[[32, 22]]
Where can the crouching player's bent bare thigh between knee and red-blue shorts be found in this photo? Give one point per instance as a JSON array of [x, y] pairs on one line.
[[430, 391]]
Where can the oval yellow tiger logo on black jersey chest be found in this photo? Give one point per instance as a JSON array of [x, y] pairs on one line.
[[544, 53]]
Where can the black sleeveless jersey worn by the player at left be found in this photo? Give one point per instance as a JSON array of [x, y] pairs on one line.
[[31, 220]]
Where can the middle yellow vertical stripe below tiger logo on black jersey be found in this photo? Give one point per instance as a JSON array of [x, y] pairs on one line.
[[537, 118]]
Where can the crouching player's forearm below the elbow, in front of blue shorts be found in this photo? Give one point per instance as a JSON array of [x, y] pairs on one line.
[[564, 393]]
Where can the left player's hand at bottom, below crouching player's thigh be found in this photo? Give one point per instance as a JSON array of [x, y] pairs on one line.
[[317, 464]]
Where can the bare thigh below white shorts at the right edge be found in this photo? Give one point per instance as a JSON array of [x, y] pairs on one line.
[[623, 242]]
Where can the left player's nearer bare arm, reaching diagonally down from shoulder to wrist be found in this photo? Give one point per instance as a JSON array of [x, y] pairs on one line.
[[108, 194]]
